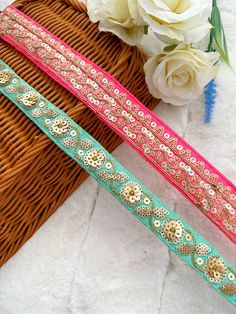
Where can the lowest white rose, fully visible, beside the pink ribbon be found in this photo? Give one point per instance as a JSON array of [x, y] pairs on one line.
[[179, 76]]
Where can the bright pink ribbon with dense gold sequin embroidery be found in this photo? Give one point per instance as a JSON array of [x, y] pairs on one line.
[[166, 151]]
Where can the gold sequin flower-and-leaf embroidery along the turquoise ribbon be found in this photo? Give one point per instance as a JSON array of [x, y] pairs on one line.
[[213, 267]]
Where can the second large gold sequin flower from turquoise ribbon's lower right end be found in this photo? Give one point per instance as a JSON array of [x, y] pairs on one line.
[[173, 230]]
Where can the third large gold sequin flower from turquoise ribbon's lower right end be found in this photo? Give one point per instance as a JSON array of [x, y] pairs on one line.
[[131, 193]]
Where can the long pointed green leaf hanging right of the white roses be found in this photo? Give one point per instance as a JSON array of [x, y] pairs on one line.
[[217, 36]]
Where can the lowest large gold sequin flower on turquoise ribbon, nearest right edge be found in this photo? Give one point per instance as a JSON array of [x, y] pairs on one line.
[[215, 269]]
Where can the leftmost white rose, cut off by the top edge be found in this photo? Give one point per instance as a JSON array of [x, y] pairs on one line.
[[120, 17]]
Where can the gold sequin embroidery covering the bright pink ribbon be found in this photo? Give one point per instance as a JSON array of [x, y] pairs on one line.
[[176, 162]]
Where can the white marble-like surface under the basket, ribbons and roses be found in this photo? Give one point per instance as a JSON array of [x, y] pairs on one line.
[[93, 257]]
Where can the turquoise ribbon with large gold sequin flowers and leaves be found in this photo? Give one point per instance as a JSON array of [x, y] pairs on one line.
[[140, 202]]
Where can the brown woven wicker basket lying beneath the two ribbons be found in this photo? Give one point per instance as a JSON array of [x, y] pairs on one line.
[[35, 176]]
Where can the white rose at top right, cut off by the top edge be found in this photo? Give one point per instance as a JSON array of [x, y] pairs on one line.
[[175, 21]]
